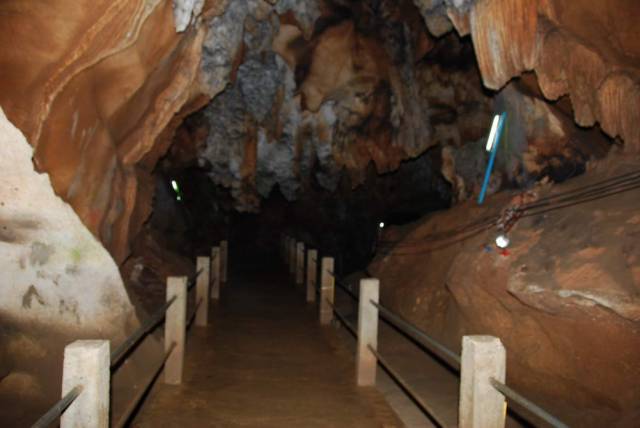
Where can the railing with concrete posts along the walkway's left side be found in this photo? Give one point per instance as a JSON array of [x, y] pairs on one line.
[[88, 365]]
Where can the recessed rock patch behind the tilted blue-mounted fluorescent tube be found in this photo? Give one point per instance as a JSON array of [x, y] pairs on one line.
[[539, 140]]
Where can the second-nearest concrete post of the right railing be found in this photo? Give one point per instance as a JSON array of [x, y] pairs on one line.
[[366, 361]]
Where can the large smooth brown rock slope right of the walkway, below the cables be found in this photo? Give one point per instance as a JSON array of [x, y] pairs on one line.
[[563, 298]]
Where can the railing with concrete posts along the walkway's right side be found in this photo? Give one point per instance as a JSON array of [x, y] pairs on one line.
[[481, 366]]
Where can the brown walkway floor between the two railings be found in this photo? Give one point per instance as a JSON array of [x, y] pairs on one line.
[[264, 361]]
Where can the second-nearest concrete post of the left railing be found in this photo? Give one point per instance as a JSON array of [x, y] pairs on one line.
[[175, 329]]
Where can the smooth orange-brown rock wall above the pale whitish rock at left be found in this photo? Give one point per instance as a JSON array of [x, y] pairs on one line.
[[93, 95]]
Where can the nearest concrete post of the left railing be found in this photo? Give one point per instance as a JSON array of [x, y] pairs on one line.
[[86, 363]]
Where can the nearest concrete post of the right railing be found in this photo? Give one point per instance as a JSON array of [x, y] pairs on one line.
[[481, 405]]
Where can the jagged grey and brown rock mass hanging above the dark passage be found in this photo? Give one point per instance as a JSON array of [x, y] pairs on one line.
[[298, 112]]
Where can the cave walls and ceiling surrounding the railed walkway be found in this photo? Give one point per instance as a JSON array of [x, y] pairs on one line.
[[138, 135]]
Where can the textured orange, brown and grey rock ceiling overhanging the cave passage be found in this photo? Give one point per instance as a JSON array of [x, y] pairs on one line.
[[299, 90]]
